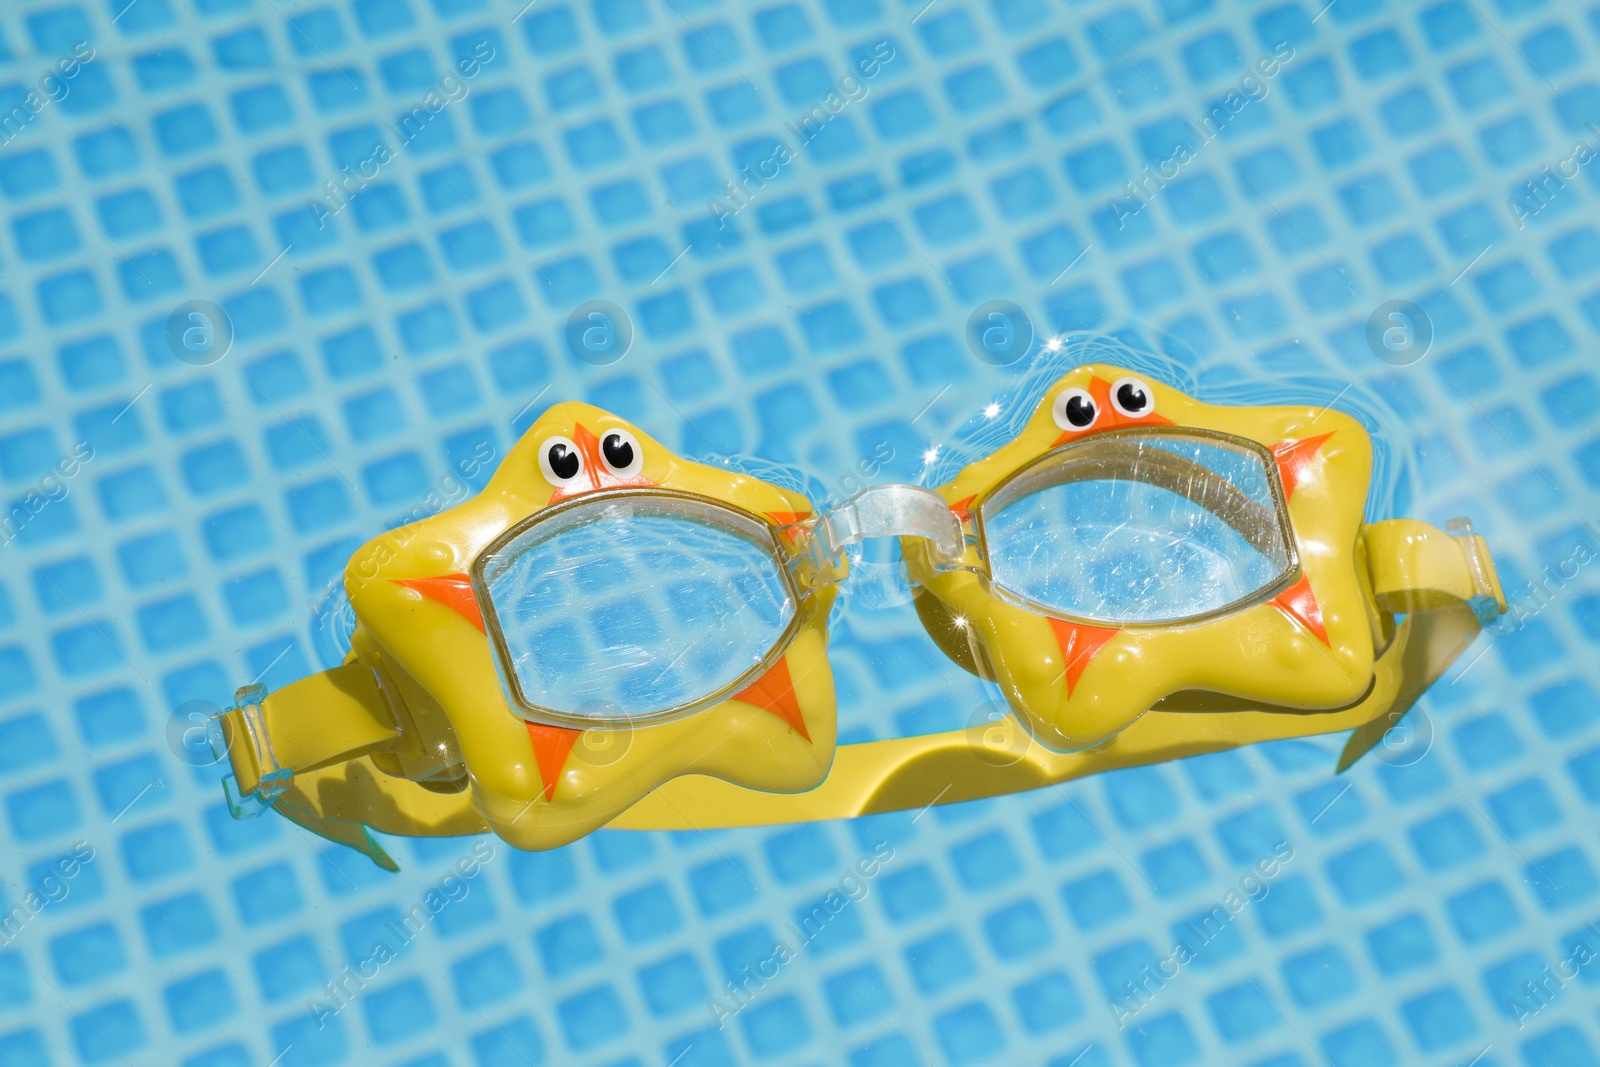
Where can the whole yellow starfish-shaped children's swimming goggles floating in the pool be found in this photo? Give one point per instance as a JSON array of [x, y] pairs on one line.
[[610, 634]]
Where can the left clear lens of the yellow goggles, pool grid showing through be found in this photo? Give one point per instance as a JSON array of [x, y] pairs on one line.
[[634, 609]]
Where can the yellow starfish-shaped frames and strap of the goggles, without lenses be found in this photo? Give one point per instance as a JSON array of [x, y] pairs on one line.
[[414, 735]]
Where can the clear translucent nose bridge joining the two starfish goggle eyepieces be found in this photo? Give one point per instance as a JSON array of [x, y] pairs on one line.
[[882, 511]]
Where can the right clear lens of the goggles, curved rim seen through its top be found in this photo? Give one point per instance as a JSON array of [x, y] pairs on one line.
[[1140, 529]]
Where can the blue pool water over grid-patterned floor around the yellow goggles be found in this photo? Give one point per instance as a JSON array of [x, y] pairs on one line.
[[390, 209]]
